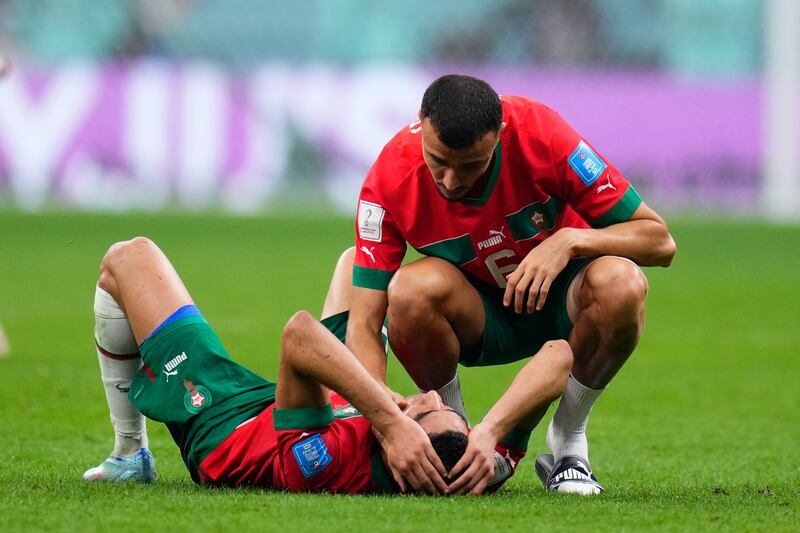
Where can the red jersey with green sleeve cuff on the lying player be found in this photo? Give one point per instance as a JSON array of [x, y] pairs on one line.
[[334, 452]]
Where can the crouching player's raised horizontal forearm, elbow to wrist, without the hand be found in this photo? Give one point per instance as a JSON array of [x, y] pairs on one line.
[[647, 242]]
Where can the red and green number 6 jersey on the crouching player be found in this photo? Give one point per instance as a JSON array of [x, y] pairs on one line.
[[544, 177]]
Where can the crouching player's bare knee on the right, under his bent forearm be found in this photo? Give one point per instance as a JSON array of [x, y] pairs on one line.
[[616, 283]]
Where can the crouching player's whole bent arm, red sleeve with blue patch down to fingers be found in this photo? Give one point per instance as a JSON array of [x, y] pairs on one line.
[[602, 196]]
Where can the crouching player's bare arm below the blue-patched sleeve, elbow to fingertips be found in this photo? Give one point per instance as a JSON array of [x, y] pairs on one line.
[[643, 238]]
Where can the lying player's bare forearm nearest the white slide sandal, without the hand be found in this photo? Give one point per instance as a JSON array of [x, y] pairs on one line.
[[540, 381]]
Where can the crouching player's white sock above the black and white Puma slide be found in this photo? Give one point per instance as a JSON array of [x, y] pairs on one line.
[[566, 434]]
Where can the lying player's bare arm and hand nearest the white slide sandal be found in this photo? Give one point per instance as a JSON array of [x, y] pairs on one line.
[[540, 381]]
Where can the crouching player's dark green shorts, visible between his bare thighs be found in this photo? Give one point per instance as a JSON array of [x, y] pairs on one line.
[[508, 336]]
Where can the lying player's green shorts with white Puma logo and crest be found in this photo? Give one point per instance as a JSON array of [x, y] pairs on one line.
[[190, 383]]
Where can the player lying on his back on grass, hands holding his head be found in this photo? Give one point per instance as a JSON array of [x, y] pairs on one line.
[[159, 358]]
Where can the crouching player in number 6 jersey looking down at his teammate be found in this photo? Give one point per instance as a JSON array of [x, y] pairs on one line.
[[528, 234]]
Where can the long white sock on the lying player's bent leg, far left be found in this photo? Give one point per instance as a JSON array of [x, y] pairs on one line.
[[119, 359]]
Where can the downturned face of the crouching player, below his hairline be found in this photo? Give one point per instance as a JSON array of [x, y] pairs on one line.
[[456, 171]]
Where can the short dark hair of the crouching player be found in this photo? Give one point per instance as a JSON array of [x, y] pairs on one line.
[[461, 109]]
